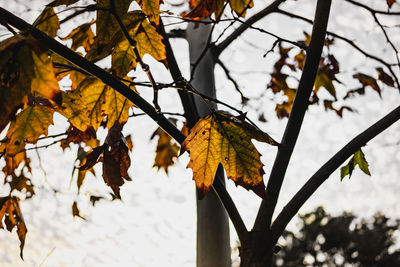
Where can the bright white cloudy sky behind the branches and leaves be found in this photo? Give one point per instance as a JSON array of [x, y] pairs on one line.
[[154, 225]]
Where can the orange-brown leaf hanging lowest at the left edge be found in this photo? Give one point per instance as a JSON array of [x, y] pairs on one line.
[[11, 216]]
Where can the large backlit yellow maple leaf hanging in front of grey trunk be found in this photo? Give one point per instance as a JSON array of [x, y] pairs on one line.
[[223, 139]]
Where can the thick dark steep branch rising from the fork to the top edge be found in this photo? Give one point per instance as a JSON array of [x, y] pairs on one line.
[[306, 84]]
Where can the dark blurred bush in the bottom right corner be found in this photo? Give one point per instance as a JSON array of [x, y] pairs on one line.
[[345, 240]]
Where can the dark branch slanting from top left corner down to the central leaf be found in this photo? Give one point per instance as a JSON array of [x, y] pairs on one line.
[[95, 70]]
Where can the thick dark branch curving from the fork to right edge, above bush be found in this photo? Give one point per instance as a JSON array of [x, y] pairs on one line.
[[308, 189]]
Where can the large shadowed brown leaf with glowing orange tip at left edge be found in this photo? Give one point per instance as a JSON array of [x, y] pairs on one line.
[[24, 68]]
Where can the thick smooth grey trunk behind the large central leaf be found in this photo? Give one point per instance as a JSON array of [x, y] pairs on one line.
[[213, 245]]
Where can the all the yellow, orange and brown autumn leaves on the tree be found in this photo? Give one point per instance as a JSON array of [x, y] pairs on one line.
[[30, 95]]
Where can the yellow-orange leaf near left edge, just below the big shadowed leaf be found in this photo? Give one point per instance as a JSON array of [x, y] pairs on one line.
[[29, 124]]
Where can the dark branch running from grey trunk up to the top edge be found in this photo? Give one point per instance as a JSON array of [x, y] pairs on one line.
[[250, 21]]
